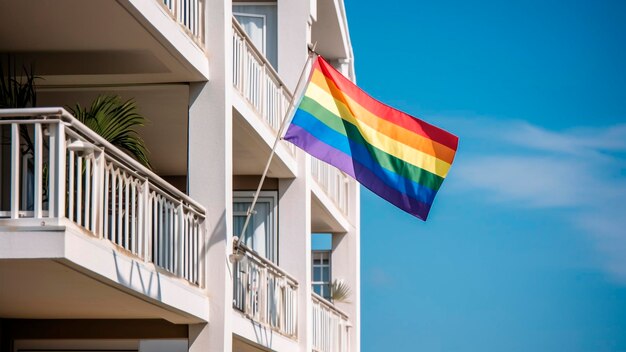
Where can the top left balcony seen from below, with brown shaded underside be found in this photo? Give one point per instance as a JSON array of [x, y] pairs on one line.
[[103, 42]]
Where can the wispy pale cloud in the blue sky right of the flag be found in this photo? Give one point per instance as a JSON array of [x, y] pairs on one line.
[[581, 169]]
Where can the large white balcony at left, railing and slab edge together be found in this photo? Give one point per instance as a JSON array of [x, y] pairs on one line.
[[90, 205]]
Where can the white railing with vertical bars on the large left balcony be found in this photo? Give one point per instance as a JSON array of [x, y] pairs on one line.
[[55, 169]]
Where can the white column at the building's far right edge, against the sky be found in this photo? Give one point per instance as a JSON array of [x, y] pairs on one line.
[[346, 264]]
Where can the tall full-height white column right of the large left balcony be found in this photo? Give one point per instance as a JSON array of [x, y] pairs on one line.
[[210, 175]]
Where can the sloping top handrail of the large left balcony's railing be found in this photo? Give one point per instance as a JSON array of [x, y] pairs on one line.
[[86, 132]]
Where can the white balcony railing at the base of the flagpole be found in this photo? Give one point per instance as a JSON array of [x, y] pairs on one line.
[[265, 293]]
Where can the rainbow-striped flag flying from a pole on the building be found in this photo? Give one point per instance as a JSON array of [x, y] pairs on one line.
[[400, 158]]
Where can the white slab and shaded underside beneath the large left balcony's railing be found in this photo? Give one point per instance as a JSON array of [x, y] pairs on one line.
[[61, 271]]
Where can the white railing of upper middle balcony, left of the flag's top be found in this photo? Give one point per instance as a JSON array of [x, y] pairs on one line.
[[256, 81]]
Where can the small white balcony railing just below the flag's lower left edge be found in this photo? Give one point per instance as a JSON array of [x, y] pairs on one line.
[[334, 183]]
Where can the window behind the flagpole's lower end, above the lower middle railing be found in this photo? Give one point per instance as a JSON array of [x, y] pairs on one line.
[[261, 233]]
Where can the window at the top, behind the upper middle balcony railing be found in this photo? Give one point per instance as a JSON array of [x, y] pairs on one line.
[[259, 23]]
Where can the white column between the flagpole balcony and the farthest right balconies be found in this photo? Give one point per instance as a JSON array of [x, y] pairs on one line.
[[295, 242]]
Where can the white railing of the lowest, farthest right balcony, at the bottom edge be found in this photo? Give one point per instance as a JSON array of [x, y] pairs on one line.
[[330, 327]]
